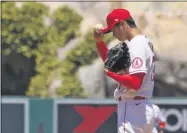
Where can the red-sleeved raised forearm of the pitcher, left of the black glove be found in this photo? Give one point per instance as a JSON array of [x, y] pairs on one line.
[[102, 50]]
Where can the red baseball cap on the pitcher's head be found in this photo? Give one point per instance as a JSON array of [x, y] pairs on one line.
[[114, 17]]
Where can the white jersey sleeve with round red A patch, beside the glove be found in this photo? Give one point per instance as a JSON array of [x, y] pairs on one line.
[[138, 60]]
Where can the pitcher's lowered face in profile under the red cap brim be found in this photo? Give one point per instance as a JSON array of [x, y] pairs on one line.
[[119, 31]]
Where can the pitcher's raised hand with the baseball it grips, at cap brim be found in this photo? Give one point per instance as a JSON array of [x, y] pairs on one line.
[[98, 36]]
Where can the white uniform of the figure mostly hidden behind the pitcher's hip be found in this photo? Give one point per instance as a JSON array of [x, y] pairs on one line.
[[159, 118]]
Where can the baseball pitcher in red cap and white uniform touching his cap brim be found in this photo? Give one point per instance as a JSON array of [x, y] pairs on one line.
[[131, 64]]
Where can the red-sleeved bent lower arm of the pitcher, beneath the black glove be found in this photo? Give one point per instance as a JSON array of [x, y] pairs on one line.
[[130, 81]]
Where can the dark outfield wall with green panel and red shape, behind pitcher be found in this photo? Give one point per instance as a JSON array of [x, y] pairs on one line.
[[34, 115]]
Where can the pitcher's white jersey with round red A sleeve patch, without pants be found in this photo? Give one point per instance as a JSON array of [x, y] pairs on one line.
[[142, 57]]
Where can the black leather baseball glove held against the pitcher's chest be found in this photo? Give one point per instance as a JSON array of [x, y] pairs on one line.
[[118, 58]]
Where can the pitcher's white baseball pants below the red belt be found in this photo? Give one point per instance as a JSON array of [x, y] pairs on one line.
[[135, 116]]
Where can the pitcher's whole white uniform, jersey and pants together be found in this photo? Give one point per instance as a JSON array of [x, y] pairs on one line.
[[137, 116]]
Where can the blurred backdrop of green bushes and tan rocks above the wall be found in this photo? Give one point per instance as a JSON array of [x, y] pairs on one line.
[[48, 51]]
